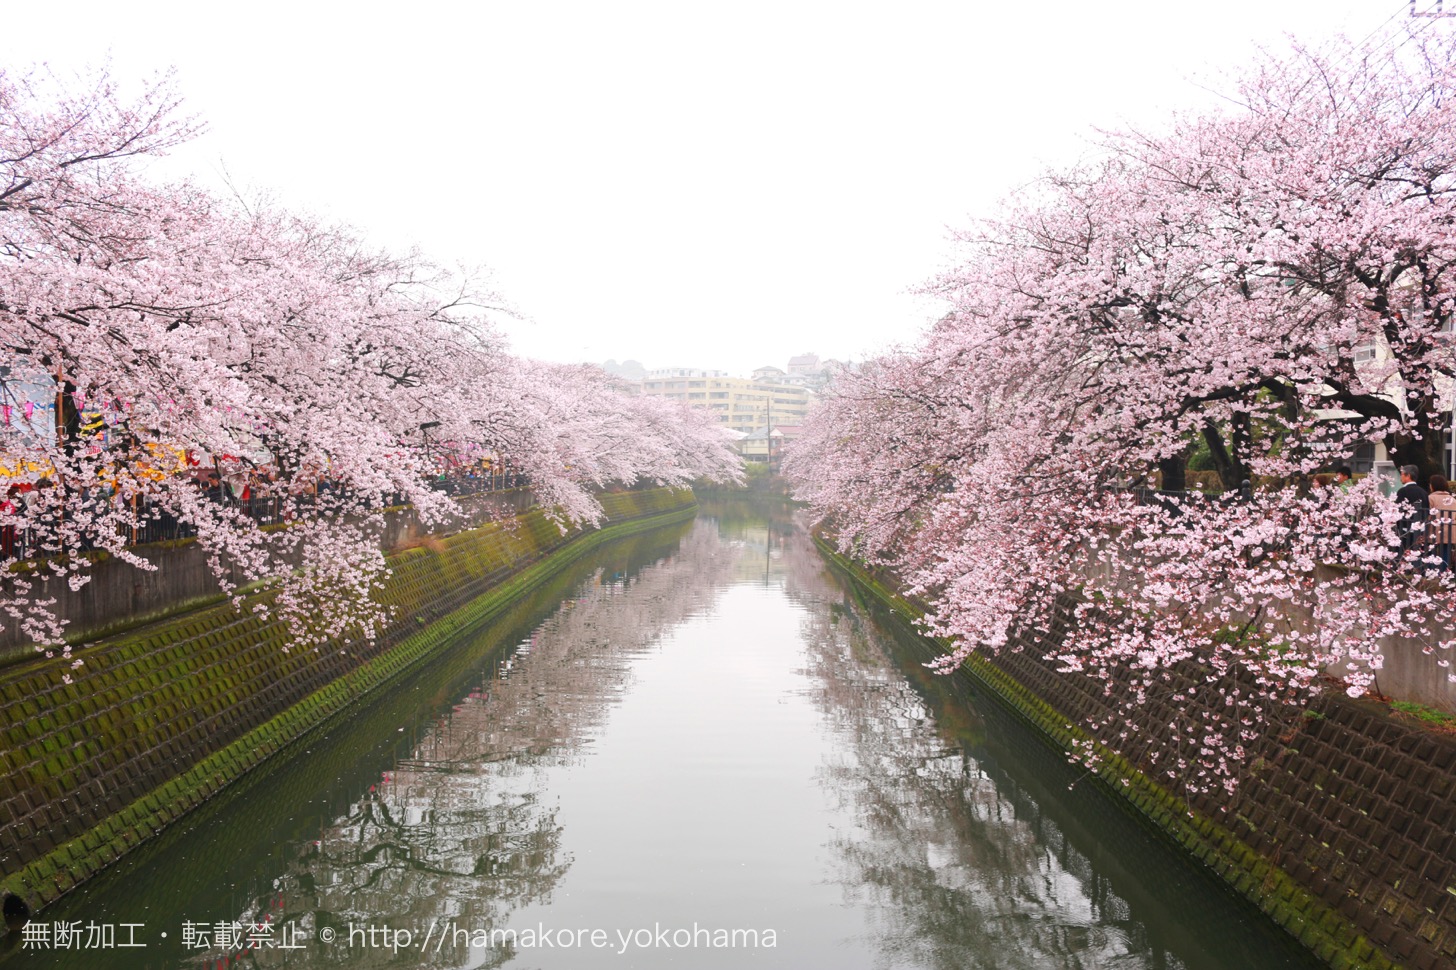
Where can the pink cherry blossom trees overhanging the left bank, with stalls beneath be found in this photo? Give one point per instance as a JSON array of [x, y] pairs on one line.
[[171, 328]]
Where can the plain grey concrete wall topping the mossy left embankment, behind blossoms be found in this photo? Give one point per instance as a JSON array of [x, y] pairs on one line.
[[122, 596]]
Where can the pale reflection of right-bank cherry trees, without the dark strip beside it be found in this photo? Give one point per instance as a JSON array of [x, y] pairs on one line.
[[956, 875]]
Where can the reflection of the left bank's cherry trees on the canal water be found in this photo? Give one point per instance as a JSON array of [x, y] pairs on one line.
[[464, 831]]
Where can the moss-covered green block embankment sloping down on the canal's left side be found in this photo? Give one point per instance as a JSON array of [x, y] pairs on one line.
[[164, 717]]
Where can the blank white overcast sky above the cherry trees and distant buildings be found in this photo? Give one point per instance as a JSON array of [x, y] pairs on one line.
[[685, 184]]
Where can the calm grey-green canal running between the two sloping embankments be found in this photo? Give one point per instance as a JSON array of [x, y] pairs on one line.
[[698, 748]]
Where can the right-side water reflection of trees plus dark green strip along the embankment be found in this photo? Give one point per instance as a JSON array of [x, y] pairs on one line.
[[969, 850]]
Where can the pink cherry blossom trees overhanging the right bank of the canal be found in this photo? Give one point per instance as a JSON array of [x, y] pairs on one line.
[[1212, 286]]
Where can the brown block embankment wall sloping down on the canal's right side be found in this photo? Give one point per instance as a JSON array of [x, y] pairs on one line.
[[1343, 828]]
